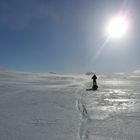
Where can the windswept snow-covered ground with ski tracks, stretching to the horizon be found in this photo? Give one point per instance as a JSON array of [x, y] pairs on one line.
[[35, 106]]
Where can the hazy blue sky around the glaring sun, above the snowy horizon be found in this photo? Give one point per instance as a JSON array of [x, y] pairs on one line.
[[67, 36]]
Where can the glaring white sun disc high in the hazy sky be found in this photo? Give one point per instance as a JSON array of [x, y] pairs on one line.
[[117, 27]]
